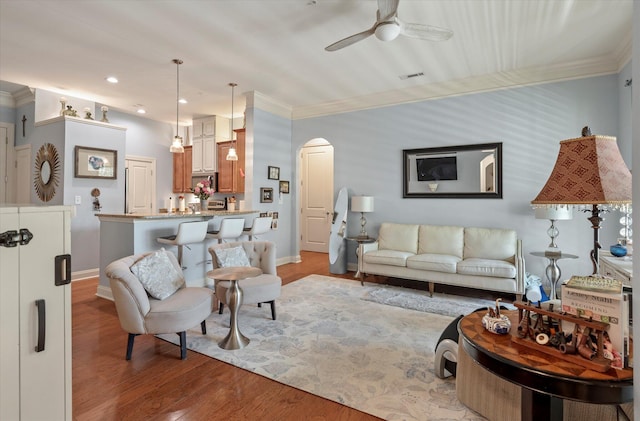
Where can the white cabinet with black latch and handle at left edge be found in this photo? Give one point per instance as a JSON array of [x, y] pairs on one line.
[[35, 313]]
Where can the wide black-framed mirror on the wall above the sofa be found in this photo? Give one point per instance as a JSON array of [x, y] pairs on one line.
[[466, 171]]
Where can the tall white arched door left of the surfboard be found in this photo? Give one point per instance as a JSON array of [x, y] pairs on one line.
[[316, 192]]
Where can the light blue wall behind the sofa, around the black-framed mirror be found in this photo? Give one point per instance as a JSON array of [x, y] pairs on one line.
[[529, 121]]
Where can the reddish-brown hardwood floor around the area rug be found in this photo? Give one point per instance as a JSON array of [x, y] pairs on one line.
[[157, 385]]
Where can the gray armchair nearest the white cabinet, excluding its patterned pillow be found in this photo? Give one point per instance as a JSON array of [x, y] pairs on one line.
[[140, 313]]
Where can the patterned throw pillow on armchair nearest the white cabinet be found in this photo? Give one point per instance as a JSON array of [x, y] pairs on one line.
[[158, 274]]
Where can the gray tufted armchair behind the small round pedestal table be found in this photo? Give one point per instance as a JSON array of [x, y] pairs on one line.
[[264, 288]]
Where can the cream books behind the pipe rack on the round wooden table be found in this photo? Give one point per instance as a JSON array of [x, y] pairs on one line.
[[602, 299]]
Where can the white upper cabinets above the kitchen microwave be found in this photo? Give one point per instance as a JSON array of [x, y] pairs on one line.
[[206, 132]]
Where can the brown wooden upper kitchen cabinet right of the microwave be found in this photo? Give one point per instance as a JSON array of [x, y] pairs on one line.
[[231, 173]]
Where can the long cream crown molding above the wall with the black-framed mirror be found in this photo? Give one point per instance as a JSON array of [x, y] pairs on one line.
[[597, 66]]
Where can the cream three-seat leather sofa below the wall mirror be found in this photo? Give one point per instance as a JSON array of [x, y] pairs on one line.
[[482, 258]]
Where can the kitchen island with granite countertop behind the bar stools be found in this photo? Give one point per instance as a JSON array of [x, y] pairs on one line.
[[125, 234]]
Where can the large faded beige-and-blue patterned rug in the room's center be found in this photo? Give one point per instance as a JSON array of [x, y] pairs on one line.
[[329, 342]]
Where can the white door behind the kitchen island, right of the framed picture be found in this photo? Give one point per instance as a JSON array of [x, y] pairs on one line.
[[141, 184]]
